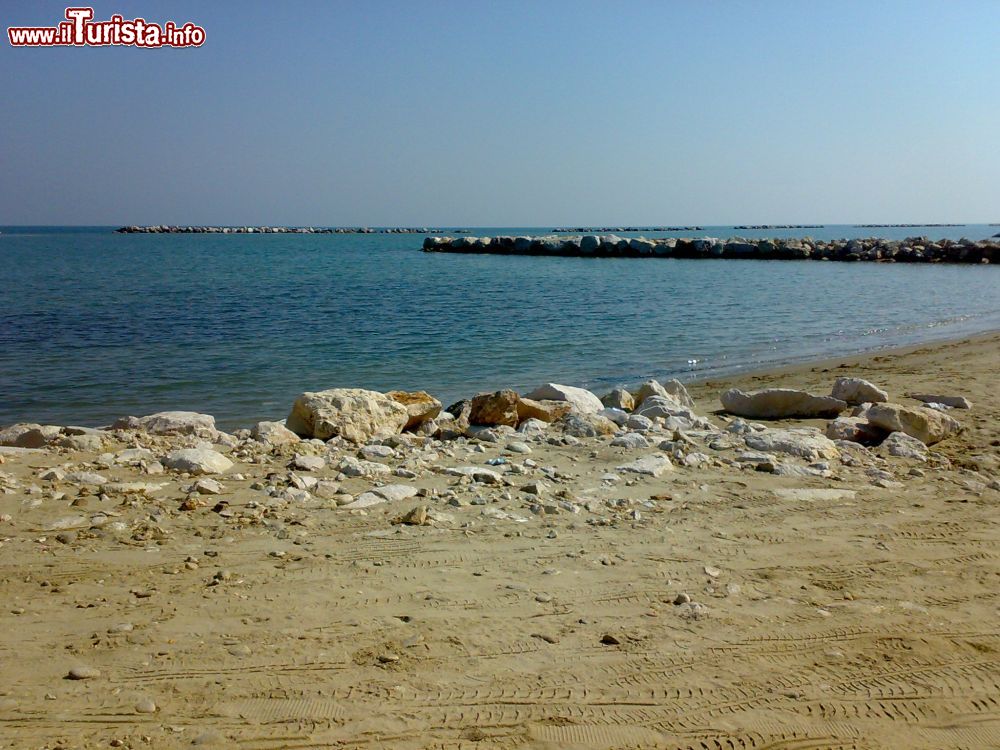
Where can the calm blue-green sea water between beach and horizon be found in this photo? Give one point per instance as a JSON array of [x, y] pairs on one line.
[[95, 325]]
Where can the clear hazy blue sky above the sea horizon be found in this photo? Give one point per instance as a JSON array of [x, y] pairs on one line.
[[508, 113]]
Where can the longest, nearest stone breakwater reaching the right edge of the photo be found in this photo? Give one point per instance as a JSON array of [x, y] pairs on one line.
[[910, 250]]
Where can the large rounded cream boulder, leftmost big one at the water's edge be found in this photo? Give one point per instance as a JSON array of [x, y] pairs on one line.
[[352, 413]]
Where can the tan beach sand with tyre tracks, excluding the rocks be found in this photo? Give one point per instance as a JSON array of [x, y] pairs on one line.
[[812, 612]]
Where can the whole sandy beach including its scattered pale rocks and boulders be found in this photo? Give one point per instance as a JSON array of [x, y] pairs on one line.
[[379, 570]]
